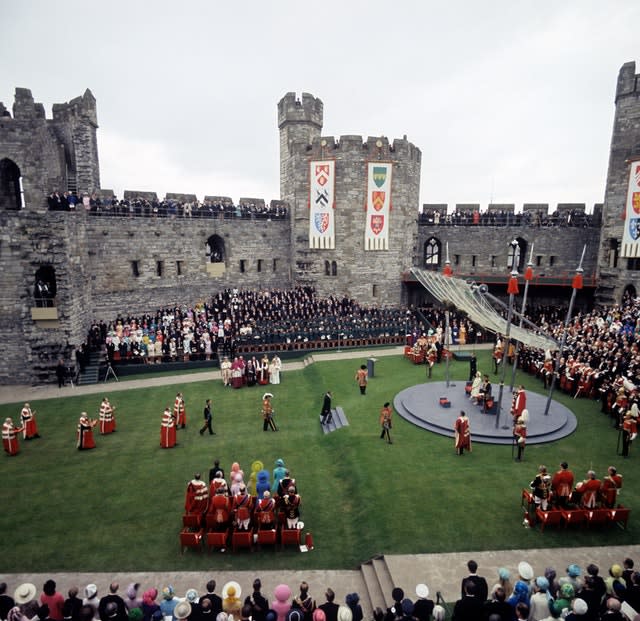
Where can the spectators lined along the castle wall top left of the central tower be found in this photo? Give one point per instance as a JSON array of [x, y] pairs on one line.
[[96, 205]]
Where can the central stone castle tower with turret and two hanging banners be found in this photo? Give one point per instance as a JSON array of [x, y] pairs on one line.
[[349, 261]]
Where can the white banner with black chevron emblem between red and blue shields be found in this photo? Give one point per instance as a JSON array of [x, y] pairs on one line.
[[322, 205]]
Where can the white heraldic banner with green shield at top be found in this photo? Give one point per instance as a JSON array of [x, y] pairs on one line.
[[376, 231]]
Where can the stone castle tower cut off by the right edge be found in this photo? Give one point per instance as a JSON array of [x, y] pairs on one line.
[[619, 273]]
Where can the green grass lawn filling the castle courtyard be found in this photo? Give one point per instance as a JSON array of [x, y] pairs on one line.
[[119, 507]]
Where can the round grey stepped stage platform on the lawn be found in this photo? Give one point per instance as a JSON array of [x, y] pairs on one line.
[[420, 405]]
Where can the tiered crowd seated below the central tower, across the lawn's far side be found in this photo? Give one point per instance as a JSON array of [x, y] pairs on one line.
[[235, 319]]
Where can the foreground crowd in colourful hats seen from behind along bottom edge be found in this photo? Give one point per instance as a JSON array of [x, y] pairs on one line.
[[518, 593]]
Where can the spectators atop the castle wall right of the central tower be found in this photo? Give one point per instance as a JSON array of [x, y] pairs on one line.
[[503, 217]]
